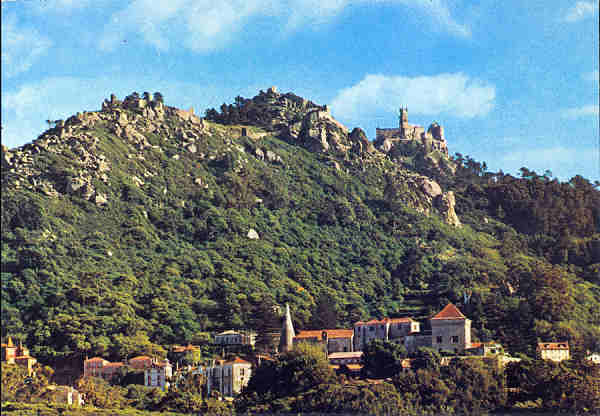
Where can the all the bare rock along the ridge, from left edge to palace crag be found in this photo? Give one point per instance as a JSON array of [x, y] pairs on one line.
[[147, 126]]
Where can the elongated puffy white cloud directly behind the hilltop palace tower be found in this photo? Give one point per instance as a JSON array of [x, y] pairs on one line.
[[455, 94]]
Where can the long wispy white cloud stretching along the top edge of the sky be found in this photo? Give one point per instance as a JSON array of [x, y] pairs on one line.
[[206, 25]]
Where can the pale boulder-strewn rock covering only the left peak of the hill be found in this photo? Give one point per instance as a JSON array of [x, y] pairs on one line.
[[131, 119]]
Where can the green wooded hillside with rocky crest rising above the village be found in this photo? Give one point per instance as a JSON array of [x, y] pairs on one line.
[[134, 222]]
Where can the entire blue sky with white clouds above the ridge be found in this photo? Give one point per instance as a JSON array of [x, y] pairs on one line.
[[515, 83]]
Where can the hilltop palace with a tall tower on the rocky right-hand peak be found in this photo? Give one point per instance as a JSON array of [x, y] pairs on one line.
[[430, 140]]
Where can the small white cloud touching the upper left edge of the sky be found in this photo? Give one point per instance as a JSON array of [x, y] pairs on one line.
[[21, 46]]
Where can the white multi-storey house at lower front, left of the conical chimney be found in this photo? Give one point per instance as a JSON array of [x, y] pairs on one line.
[[228, 378]]
